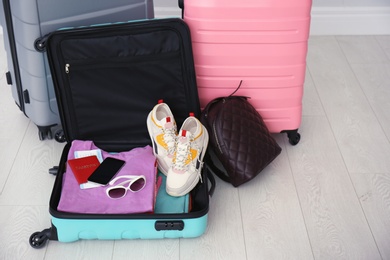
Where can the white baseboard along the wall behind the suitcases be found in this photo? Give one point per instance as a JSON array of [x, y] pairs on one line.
[[331, 20]]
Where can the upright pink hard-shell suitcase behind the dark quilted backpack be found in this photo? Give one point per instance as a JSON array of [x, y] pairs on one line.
[[261, 42]]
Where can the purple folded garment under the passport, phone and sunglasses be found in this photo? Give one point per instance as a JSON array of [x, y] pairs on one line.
[[139, 161]]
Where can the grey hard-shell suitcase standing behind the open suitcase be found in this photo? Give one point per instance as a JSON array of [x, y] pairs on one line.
[[24, 21]]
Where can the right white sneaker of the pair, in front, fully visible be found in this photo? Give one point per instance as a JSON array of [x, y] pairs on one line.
[[191, 146]]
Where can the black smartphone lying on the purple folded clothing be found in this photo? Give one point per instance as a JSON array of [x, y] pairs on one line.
[[106, 170]]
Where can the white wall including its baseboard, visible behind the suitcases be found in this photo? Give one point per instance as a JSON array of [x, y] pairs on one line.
[[329, 17]]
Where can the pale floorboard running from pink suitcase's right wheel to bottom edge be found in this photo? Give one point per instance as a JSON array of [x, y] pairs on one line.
[[334, 219]]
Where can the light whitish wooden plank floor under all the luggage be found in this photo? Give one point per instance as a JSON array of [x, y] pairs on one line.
[[326, 198]]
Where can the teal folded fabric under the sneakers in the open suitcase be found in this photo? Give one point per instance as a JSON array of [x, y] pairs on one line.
[[166, 203]]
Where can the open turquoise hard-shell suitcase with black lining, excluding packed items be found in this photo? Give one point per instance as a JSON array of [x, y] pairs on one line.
[[137, 63]]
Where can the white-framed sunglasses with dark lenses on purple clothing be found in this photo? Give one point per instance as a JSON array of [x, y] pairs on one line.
[[134, 183]]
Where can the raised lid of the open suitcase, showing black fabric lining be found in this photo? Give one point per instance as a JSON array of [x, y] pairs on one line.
[[108, 78]]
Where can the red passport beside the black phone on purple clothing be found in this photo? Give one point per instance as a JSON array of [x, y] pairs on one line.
[[83, 167]]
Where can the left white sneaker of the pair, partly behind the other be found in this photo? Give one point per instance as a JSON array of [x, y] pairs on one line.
[[162, 130]]
